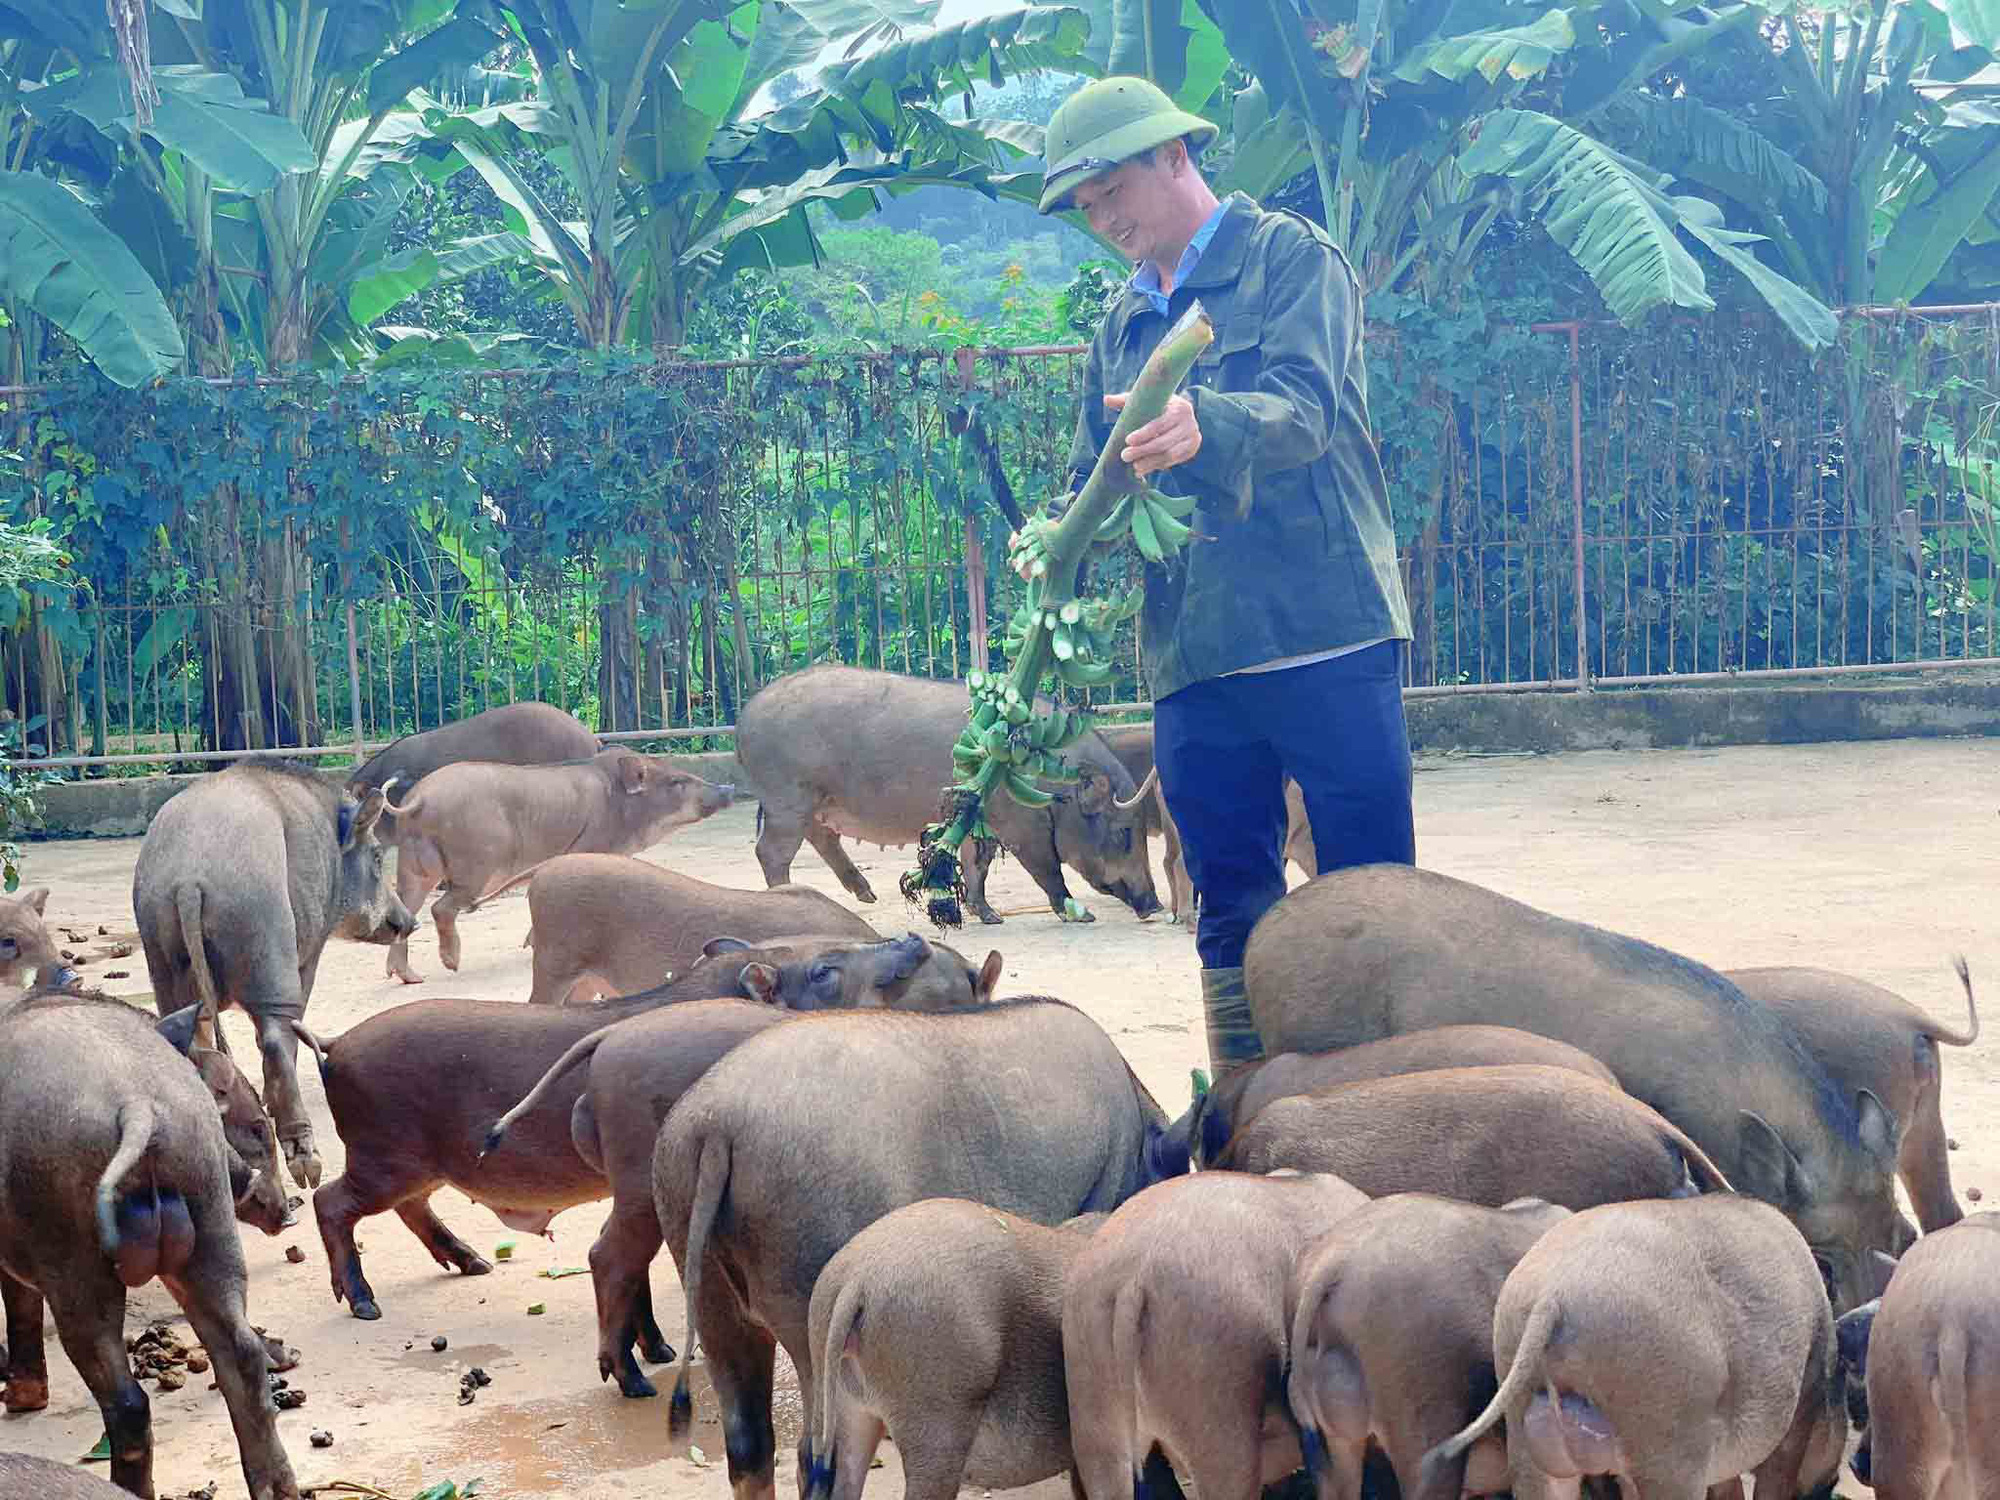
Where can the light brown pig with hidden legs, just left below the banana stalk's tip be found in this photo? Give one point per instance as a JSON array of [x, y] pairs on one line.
[[625, 925]]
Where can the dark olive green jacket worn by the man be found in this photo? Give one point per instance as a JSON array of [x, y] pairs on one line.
[[1295, 551]]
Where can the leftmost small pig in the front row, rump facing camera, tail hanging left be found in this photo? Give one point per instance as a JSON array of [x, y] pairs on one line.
[[941, 1325]]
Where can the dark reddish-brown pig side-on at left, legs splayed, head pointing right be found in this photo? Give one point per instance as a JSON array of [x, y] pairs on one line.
[[407, 1135]]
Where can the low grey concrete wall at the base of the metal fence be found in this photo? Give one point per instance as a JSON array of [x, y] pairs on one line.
[[1629, 719]]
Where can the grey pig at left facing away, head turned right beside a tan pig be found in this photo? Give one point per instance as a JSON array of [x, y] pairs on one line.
[[239, 885]]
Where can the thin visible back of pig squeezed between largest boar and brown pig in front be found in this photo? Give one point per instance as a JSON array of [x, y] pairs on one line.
[[1243, 1091]]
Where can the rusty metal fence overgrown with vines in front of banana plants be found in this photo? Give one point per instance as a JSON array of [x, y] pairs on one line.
[[1681, 505]]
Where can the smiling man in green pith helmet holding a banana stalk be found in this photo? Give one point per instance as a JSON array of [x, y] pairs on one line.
[[1275, 641]]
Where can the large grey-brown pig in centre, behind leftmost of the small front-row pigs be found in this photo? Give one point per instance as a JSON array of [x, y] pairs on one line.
[[817, 1129]]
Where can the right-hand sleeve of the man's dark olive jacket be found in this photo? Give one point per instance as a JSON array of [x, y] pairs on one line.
[[1311, 321]]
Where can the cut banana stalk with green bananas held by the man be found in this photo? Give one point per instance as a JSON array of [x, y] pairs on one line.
[[1007, 745]]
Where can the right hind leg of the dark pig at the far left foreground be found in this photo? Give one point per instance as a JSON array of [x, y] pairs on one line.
[[211, 1291]]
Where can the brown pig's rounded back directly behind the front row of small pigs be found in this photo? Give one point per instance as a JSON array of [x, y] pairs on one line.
[[1483, 1137]]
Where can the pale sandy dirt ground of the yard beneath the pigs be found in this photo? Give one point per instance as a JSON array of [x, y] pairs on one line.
[[1873, 859]]
